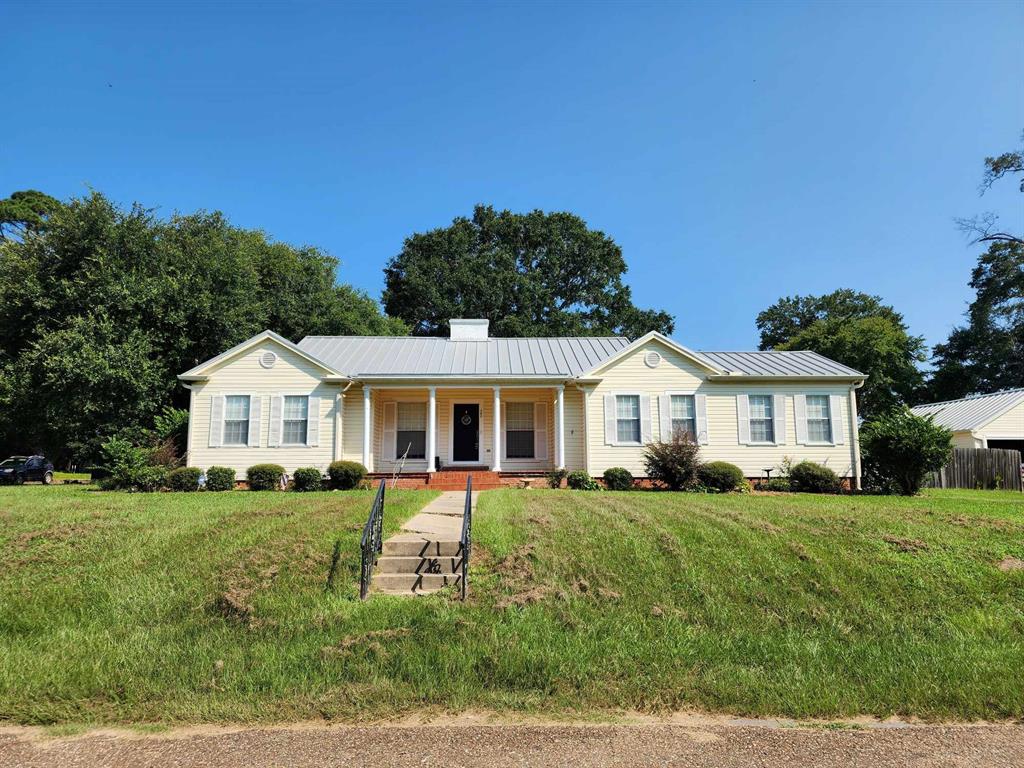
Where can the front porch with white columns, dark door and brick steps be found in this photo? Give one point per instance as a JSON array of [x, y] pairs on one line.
[[456, 430]]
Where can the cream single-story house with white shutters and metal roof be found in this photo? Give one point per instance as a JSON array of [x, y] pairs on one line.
[[515, 407]]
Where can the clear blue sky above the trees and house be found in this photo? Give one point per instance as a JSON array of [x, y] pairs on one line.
[[738, 153]]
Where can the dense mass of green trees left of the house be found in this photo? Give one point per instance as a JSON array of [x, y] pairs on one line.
[[102, 309]]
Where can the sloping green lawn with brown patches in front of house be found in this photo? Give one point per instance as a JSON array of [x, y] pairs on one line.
[[174, 609]]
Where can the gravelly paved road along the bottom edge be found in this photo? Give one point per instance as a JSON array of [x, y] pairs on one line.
[[542, 746]]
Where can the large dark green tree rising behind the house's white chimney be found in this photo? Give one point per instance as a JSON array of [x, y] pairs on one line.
[[531, 275]]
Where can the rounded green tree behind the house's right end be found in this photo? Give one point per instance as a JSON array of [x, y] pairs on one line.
[[859, 331]]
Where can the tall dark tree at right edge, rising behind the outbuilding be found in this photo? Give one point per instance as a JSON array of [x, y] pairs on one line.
[[988, 354]]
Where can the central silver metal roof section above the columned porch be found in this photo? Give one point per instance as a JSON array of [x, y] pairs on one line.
[[416, 356]]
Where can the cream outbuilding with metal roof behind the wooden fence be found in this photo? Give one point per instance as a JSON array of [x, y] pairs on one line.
[[995, 420]]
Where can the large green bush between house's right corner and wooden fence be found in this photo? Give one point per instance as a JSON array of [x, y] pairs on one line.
[[900, 449]]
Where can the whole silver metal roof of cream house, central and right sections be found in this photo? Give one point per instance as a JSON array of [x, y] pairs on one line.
[[363, 357]]
